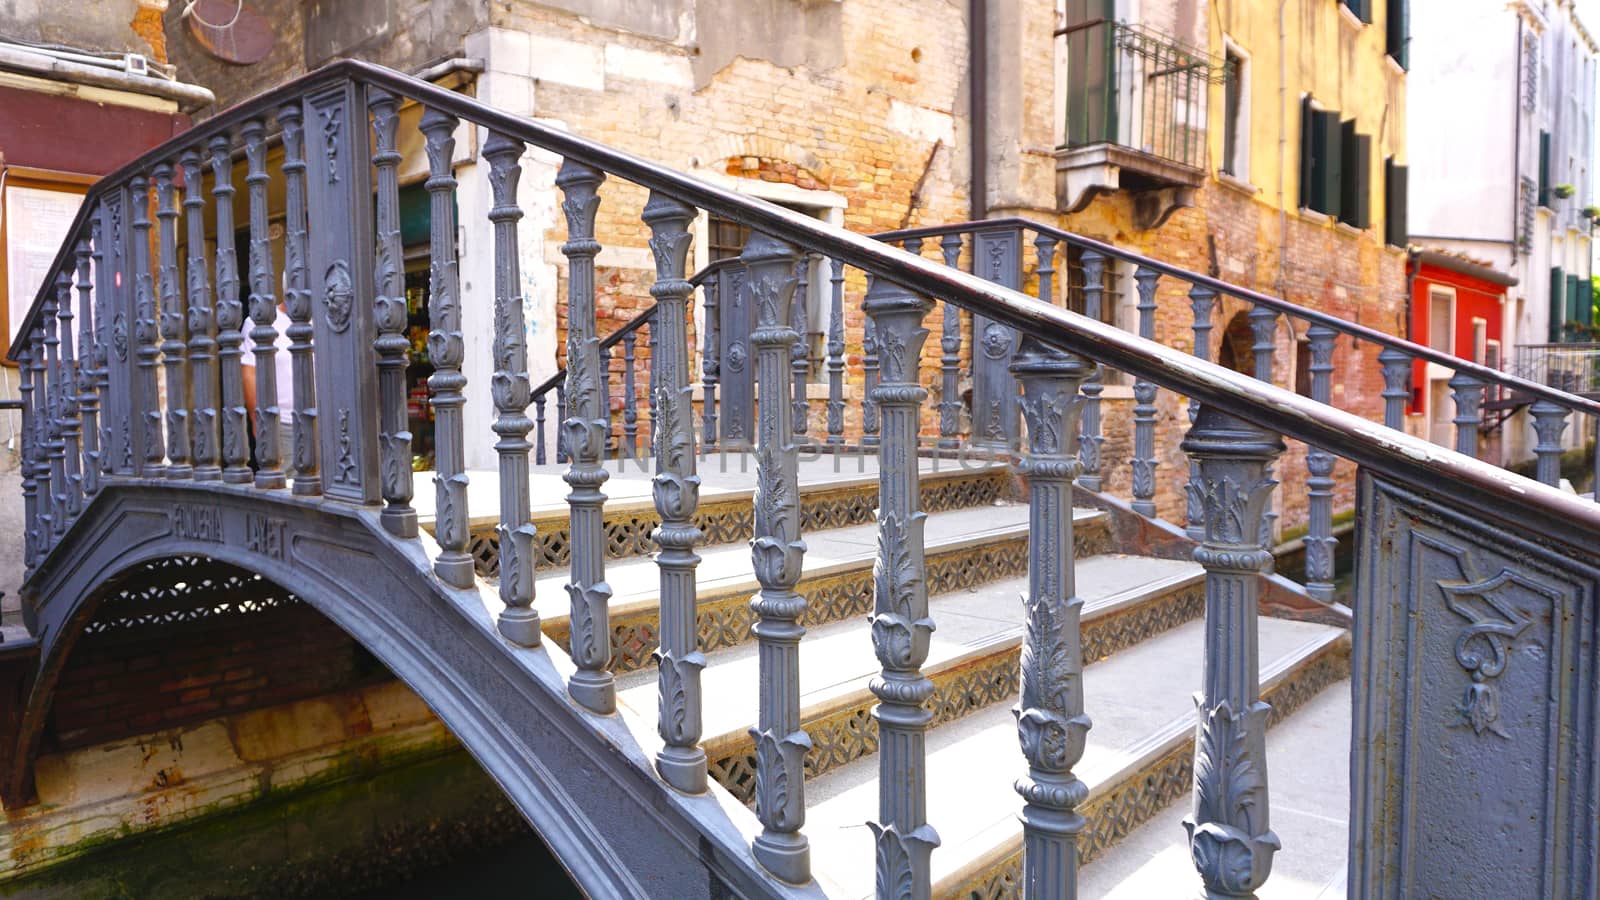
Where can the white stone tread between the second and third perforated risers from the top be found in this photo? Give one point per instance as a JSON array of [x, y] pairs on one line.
[[838, 659]]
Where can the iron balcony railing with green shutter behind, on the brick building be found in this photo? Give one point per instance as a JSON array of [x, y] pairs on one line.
[[1138, 89]]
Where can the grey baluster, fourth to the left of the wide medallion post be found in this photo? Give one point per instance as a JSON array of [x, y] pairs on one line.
[[202, 329]]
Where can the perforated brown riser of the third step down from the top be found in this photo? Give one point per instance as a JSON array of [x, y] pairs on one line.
[[842, 729]]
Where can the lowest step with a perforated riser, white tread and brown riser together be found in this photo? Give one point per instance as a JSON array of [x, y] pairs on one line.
[[1138, 761]]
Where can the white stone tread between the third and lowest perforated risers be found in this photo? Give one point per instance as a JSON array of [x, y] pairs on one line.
[[1140, 701]]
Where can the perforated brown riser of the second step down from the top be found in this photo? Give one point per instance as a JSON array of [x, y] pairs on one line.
[[834, 593]]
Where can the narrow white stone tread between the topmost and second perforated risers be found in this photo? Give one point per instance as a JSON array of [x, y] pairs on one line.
[[636, 582]]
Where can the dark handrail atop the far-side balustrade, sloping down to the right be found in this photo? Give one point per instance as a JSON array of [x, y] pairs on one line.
[[1303, 313]]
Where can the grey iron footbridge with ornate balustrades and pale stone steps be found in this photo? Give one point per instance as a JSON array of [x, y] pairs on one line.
[[881, 648]]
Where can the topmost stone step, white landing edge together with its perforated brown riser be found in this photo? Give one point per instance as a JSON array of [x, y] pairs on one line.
[[834, 492]]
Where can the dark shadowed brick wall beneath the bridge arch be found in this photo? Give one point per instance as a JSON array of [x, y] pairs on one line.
[[129, 683]]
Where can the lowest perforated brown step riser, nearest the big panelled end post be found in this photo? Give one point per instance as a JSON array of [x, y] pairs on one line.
[[1158, 774]]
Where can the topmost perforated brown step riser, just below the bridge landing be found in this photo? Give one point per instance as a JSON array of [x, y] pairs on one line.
[[727, 516]]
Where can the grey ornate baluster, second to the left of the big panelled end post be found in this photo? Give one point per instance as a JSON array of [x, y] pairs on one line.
[[1050, 717]]
